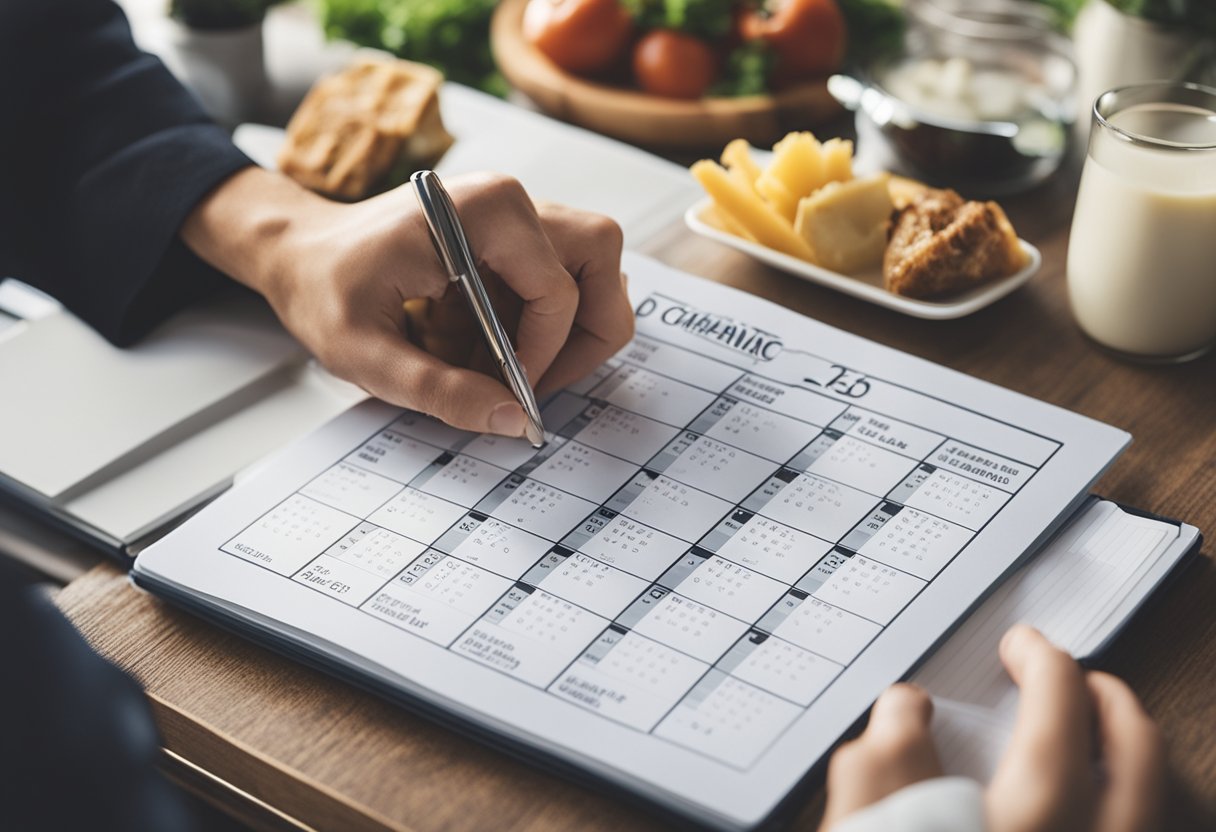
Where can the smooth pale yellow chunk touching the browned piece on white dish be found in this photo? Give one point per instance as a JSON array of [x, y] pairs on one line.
[[846, 223]]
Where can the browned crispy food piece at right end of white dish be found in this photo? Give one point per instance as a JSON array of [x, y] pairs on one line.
[[941, 245]]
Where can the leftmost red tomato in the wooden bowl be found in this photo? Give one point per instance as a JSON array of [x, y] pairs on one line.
[[579, 36]]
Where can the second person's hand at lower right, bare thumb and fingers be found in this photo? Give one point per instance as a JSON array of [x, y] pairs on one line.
[[1084, 756]]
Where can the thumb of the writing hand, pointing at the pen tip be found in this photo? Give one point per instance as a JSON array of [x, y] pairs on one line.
[[390, 368]]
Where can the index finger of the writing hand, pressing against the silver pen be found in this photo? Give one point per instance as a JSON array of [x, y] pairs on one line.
[[506, 235]]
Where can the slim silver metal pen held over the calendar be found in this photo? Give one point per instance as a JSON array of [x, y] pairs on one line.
[[452, 245]]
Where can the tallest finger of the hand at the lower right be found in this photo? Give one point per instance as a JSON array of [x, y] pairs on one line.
[[1045, 779]]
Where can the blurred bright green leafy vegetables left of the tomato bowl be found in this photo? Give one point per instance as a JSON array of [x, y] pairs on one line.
[[452, 36]]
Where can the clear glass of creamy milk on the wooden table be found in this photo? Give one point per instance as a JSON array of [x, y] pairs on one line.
[[1142, 254]]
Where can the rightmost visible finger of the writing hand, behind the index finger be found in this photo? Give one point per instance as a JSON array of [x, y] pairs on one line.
[[589, 248]]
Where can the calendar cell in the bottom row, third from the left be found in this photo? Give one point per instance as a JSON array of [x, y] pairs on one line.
[[437, 597]]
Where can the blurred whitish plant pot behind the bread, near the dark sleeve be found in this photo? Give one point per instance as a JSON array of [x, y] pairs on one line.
[[226, 69]]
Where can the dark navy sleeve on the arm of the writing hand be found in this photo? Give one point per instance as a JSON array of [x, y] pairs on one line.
[[103, 156]]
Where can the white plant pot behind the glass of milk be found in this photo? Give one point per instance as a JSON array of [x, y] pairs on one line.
[[1114, 49]]
